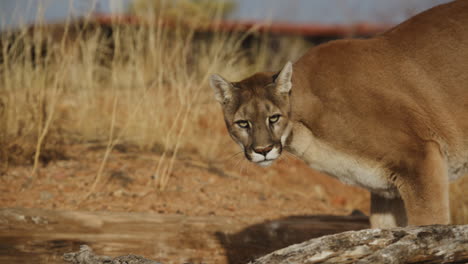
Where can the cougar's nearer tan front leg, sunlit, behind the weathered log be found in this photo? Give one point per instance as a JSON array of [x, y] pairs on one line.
[[425, 189]]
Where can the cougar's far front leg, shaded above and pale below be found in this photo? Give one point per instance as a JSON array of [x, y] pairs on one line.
[[387, 212]]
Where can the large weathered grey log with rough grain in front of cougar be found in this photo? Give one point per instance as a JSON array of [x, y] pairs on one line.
[[427, 244]]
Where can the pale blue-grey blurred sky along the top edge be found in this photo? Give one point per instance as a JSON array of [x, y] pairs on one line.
[[14, 13]]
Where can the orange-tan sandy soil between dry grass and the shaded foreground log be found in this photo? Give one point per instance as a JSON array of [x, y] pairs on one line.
[[195, 188]]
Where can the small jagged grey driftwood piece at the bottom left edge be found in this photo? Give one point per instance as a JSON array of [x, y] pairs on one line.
[[87, 256]]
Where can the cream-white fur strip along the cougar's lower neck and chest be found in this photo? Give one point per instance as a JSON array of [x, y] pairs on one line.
[[351, 170]]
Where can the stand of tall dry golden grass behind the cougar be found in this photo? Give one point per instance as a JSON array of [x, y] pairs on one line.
[[122, 83]]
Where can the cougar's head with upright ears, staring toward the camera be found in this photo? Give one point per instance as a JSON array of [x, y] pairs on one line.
[[257, 111]]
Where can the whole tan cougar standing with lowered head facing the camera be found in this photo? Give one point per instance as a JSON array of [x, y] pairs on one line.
[[389, 114]]
